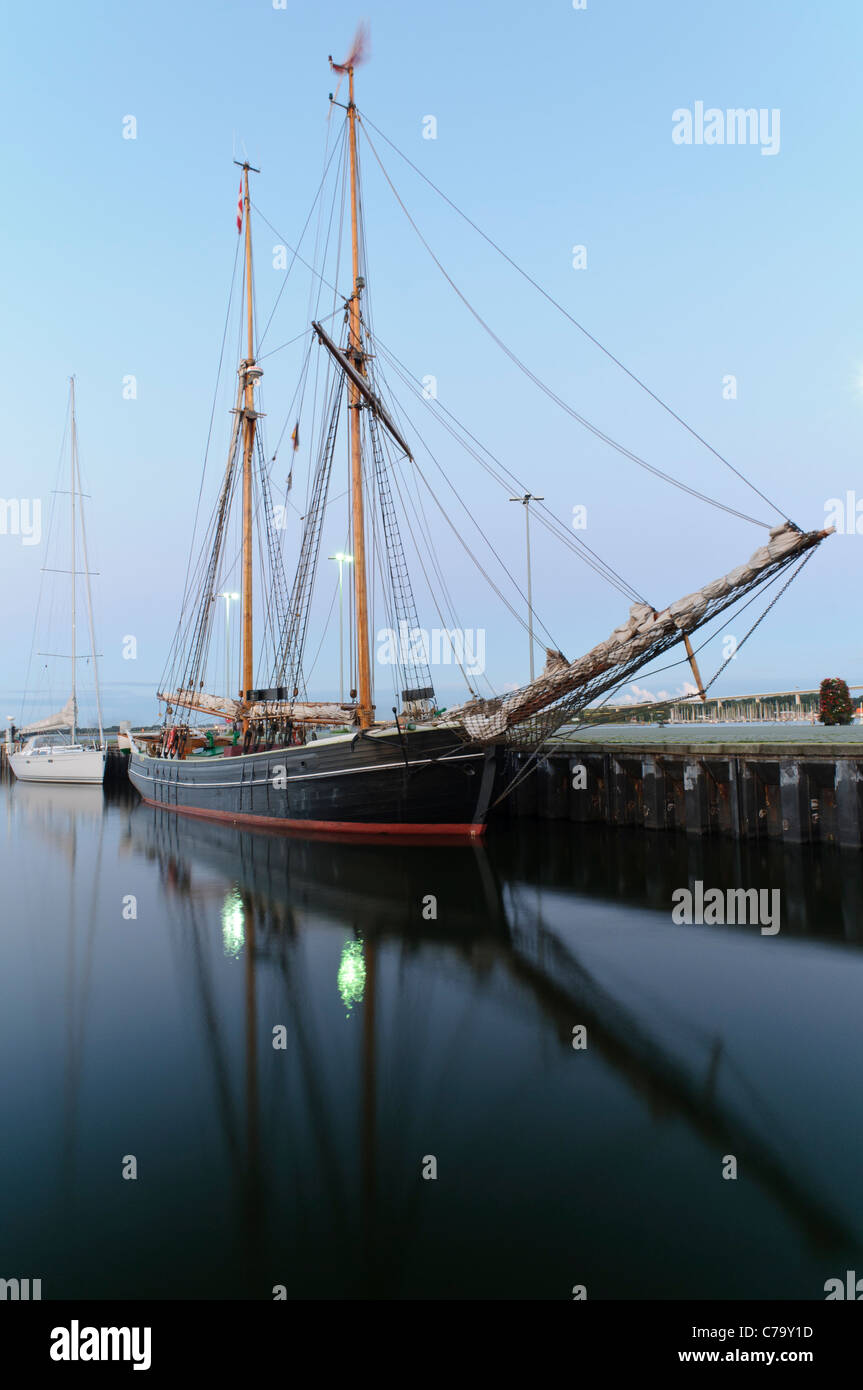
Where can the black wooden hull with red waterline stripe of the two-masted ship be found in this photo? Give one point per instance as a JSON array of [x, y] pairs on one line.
[[423, 783]]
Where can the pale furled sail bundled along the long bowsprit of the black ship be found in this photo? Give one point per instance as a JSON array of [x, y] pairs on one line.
[[632, 646]]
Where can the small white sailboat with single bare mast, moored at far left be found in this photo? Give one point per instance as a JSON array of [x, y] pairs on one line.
[[51, 750]]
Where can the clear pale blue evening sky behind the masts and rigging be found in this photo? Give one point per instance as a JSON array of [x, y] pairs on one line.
[[554, 130]]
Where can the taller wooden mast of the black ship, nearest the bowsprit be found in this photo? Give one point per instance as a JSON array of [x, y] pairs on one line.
[[366, 710]]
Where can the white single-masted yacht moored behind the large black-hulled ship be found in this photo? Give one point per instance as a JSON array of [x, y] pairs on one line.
[[48, 753]]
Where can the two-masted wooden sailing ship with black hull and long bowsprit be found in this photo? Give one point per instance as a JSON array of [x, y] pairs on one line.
[[284, 760]]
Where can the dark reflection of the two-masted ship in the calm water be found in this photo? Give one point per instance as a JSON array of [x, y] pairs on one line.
[[270, 888]]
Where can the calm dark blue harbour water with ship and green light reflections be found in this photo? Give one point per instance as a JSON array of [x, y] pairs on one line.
[[147, 961]]
